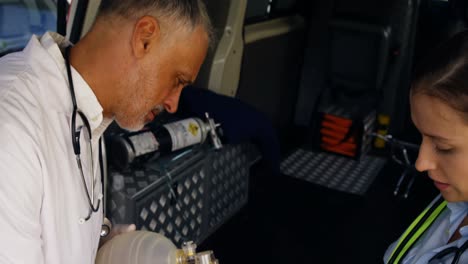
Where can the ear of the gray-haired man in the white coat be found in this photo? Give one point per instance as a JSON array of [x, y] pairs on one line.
[[145, 35]]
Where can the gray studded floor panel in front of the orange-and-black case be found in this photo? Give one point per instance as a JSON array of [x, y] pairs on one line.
[[333, 171]]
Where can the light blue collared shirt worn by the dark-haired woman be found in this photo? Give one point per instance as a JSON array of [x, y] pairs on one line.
[[436, 237]]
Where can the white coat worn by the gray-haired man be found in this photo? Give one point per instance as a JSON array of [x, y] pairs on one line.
[[42, 196]]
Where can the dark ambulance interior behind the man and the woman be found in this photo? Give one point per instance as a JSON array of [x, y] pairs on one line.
[[281, 68]]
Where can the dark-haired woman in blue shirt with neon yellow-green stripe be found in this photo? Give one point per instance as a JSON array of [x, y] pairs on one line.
[[439, 110]]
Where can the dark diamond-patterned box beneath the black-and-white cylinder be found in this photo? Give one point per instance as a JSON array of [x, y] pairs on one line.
[[209, 188]]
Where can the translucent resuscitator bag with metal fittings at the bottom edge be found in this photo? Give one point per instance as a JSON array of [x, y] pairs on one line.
[[144, 247]]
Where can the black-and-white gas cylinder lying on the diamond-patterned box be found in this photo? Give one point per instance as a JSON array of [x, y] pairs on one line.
[[170, 137]]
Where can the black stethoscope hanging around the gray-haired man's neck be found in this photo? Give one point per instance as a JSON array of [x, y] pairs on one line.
[[75, 134]]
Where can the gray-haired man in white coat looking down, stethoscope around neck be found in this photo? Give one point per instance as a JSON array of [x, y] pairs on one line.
[[56, 100]]
